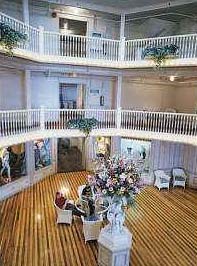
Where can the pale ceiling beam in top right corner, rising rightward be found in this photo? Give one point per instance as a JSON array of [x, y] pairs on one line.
[[159, 6]]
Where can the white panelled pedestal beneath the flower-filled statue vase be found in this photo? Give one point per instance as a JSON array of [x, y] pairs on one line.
[[114, 249]]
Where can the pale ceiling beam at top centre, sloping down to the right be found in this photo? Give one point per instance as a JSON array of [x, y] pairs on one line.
[[89, 6]]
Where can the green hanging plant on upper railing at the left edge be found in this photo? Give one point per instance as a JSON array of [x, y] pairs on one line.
[[10, 38]]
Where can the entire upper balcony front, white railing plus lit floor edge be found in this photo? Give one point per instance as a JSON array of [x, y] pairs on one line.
[[51, 47]]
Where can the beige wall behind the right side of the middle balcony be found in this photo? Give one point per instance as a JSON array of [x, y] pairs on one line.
[[159, 97]]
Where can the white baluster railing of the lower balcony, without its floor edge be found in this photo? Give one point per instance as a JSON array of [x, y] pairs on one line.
[[24, 121]]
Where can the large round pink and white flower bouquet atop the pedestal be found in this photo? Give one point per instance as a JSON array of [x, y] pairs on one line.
[[117, 178]]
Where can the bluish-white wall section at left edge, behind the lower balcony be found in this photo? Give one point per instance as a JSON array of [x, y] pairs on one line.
[[11, 90]]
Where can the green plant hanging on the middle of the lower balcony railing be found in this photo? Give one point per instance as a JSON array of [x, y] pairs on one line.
[[84, 124]]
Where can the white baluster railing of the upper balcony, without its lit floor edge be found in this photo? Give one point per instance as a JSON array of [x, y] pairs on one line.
[[52, 45]]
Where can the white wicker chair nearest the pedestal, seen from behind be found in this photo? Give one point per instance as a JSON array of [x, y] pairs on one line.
[[91, 229]]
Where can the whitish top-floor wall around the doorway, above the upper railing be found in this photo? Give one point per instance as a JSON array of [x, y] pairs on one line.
[[40, 15]]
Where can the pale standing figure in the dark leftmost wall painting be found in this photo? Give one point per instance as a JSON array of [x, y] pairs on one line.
[[5, 165]]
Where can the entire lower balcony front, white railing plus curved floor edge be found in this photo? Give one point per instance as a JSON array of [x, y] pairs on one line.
[[25, 125]]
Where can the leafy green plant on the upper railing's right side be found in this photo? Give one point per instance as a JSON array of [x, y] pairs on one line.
[[160, 53]]
